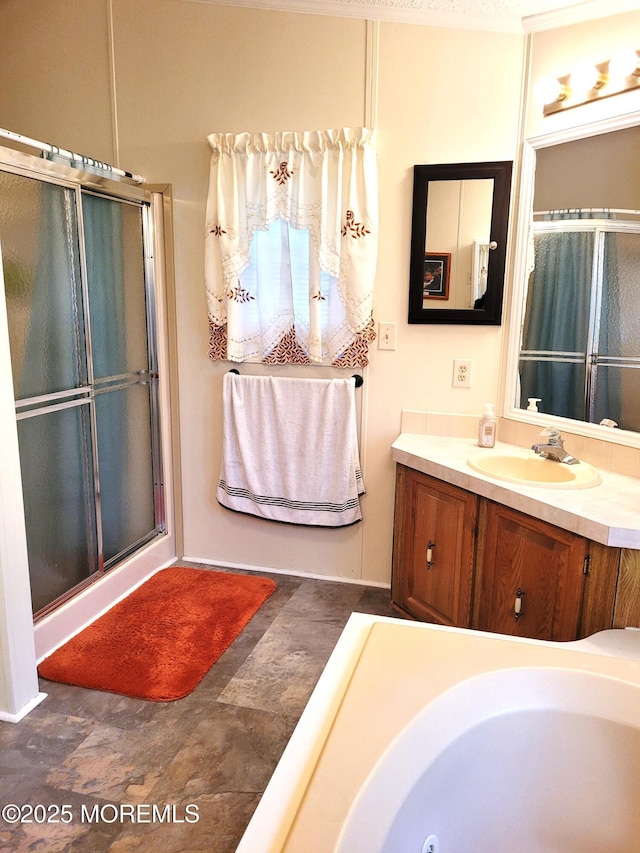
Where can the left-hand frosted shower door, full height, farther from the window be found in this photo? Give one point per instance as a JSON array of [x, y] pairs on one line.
[[40, 244]]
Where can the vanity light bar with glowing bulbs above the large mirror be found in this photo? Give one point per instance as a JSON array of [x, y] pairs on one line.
[[590, 82]]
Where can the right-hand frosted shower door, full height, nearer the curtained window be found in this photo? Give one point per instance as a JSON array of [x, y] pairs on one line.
[[123, 376]]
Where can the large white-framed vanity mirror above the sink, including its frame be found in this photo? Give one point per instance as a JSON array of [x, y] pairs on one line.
[[577, 345]]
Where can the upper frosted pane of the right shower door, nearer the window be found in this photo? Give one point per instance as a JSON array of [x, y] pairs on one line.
[[115, 273]]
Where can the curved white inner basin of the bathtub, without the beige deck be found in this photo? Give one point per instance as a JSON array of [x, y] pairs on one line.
[[522, 760]]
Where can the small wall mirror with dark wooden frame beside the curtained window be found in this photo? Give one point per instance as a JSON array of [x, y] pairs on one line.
[[458, 242]]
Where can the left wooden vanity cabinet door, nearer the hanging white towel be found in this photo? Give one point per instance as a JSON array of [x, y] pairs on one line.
[[433, 549]]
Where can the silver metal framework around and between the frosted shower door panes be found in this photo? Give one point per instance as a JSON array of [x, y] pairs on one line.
[[80, 182]]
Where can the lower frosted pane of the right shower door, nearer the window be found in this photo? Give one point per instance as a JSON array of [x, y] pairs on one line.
[[124, 458]]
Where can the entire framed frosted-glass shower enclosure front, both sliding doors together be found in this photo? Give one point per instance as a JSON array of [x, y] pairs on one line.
[[78, 263]]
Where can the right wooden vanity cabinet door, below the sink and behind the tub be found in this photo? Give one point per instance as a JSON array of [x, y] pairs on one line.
[[529, 566]]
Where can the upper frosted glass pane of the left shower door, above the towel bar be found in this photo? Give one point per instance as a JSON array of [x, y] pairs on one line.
[[39, 235]]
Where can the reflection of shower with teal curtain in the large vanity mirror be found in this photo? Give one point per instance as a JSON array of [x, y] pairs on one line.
[[580, 352]]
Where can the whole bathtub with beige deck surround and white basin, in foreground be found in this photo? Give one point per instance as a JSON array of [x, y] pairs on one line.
[[422, 738]]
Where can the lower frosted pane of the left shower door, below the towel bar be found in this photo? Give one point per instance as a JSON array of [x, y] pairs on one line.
[[57, 483]]
